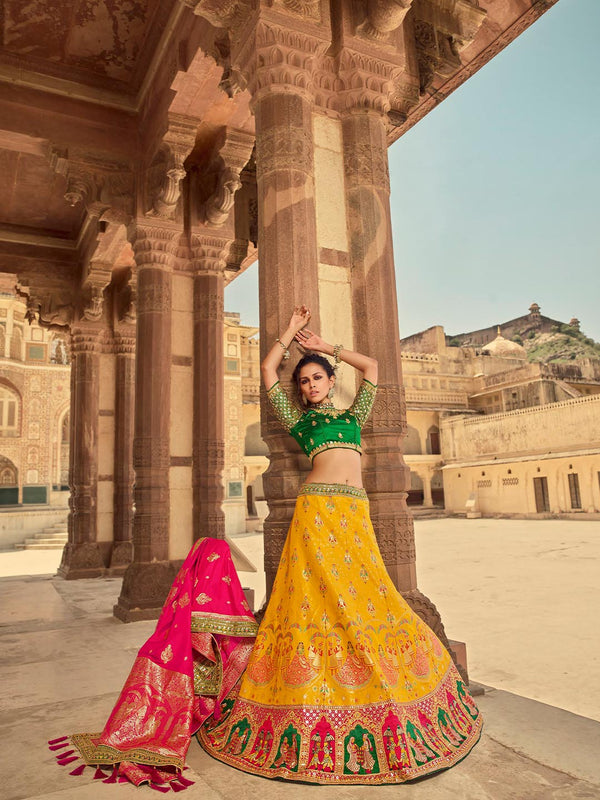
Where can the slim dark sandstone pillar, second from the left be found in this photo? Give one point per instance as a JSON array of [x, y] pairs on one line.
[[122, 551]]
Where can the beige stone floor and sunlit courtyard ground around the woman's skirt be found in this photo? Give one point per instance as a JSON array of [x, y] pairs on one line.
[[522, 594]]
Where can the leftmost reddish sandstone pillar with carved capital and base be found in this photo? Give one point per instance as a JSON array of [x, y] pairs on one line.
[[82, 556]]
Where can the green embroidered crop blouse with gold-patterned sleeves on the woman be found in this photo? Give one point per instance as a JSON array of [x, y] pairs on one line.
[[318, 429]]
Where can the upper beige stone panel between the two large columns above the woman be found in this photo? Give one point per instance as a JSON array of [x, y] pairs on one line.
[[329, 184]]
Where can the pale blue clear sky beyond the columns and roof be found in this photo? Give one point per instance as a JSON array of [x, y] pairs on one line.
[[495, 193]]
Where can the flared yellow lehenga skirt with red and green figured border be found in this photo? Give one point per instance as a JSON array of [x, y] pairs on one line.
[[345, 684]]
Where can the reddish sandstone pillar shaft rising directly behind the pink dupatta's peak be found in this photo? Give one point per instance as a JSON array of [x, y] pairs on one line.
[[209, 424]]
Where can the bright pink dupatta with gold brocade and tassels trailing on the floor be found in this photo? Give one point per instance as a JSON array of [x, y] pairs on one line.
[[193, 659]]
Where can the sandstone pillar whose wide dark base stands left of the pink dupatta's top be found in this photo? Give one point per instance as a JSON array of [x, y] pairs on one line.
[[148, 577]]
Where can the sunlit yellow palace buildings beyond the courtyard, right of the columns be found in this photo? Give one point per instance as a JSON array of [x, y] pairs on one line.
[[500, 434]]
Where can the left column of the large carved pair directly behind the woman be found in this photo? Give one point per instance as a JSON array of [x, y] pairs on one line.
[[280, 75]]
